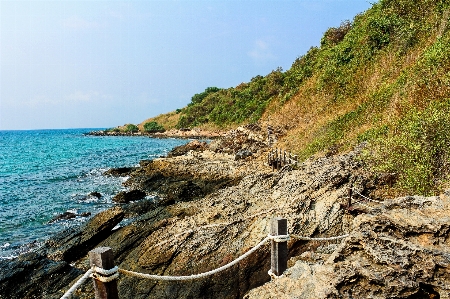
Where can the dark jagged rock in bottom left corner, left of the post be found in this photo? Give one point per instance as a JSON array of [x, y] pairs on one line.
[[33, 275]]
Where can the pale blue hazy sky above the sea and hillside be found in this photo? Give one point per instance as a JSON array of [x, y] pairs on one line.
[[101, 64]]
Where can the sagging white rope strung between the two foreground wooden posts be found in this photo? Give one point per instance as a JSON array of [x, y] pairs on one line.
[[195, 276]]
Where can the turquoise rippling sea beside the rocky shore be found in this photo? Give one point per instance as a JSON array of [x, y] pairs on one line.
[[44, 173]]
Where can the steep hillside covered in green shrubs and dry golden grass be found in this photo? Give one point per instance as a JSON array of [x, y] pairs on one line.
[[381, 78]]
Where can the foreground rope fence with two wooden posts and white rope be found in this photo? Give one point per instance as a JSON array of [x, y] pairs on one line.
[[105, 281]]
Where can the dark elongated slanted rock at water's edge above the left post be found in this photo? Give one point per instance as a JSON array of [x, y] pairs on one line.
[[74, 243]]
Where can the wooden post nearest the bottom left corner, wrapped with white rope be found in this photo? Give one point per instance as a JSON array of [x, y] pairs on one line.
[[103, 257]]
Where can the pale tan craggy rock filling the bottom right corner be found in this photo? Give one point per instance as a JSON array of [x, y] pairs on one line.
[[400, 249]]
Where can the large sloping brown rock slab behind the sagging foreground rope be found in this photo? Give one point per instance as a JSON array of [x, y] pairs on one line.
[[201, 235]]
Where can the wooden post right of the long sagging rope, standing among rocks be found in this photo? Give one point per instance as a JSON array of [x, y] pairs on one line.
[[279, 251]]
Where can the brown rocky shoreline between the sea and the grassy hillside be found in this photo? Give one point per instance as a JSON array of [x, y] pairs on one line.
[[213, 203]]
